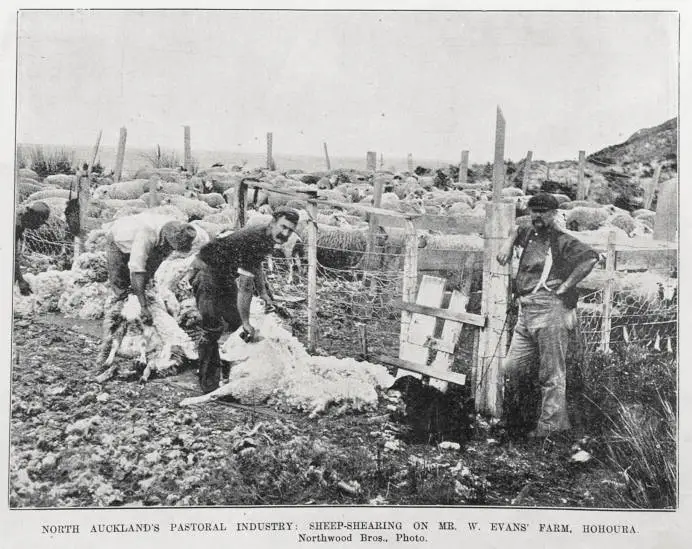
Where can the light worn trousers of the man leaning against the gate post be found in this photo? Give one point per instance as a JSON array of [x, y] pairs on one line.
[[538, 352]]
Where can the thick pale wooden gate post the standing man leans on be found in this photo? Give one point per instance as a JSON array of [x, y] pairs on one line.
[[488, 379]]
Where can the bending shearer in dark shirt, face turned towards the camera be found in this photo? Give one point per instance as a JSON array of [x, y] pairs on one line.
[[224, 276]]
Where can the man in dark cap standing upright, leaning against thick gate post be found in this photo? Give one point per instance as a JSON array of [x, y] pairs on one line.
[[550, 267]]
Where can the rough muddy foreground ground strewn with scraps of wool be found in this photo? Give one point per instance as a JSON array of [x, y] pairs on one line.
[[76, 443]]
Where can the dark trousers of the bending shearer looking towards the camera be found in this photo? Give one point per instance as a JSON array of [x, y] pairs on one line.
[[217, 301]]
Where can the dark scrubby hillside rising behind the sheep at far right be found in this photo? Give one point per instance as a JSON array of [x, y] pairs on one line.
[[658, 144]]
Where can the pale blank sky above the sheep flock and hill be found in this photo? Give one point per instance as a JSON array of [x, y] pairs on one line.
[[425, 83]]
